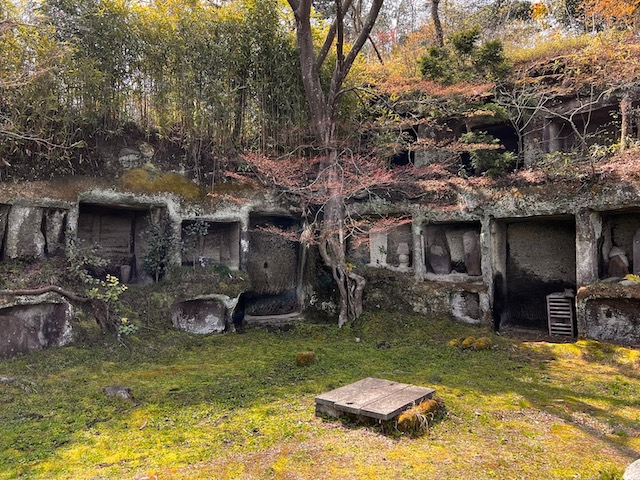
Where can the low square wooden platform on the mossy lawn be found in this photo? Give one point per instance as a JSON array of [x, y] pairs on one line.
[[372, 397]]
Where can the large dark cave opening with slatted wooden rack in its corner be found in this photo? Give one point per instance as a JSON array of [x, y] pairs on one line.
[[538, 258]]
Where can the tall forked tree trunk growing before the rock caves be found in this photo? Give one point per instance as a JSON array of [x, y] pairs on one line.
[[323, 108]]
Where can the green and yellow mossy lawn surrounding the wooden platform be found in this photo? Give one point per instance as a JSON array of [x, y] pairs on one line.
[[237, 406]]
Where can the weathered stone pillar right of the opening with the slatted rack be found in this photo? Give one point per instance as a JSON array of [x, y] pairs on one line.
[[588, 233]]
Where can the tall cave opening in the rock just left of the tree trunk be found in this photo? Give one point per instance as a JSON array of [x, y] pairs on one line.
[[273, 264]]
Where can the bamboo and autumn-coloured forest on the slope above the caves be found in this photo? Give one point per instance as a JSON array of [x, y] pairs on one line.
[[206, 80]]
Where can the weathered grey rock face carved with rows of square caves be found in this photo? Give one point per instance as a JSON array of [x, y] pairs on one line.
[[489, 254]]
